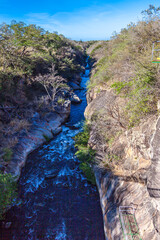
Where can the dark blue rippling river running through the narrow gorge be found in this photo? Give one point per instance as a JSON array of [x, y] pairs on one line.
[[57, 201]]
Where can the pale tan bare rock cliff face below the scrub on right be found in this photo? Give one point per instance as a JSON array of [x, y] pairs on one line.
[[127, 172]]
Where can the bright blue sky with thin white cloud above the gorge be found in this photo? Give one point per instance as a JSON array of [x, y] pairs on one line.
[[76, 19]]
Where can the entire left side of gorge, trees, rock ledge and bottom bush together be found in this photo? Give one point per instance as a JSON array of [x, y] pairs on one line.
[[39, 71]]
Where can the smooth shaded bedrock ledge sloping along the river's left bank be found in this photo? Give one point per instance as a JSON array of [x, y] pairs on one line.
[[40, 132]]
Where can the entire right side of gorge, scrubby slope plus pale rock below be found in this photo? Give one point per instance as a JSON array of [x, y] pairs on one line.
[[123, 115]]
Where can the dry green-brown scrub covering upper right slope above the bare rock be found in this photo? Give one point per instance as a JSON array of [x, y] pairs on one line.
[[126, 66]]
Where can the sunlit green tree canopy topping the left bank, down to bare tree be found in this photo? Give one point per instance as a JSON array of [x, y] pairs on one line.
[[30, 53]]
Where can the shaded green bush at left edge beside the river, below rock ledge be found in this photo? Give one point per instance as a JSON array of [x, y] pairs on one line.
[[7, 192]]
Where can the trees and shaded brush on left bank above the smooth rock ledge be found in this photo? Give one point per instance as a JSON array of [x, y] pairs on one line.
[[35, 68]]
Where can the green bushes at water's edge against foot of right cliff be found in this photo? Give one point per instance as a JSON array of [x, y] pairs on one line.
[[85, 154]]
